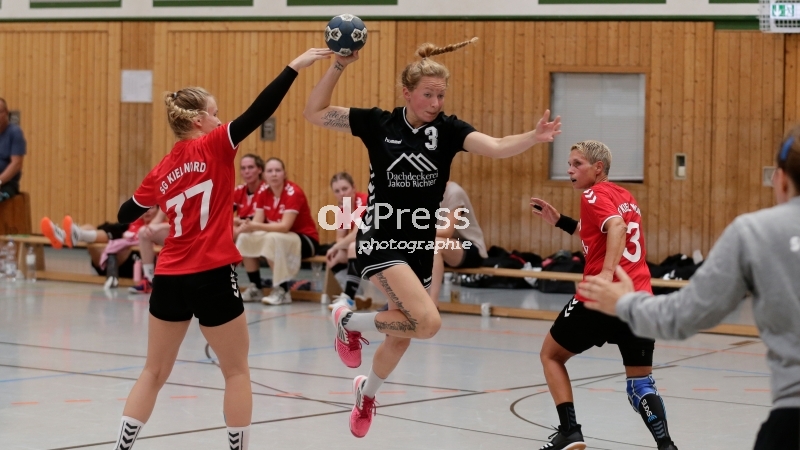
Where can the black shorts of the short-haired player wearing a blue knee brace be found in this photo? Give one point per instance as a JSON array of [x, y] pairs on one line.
[[578, 329]]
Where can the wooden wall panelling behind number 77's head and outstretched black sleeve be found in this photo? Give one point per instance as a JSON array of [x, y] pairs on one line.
[[311, 155]]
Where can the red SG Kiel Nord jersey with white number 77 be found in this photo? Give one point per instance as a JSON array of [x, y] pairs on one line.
[[193, 184]]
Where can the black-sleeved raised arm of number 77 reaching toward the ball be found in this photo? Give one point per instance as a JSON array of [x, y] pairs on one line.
[[270, 98]]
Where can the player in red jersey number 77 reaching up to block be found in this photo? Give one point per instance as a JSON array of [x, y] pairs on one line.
[[195, 273]]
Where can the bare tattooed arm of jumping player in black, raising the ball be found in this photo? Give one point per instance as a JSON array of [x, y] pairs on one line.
[[318, 109]]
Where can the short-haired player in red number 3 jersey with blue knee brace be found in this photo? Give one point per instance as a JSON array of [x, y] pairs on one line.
[[611, 235]]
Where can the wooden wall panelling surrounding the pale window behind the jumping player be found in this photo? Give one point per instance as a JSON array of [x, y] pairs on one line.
[[499, 77]]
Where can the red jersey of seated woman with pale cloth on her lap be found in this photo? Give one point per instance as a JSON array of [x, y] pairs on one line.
[[292, 199]]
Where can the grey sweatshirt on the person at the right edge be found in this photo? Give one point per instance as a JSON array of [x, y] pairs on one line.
[[759, 252]]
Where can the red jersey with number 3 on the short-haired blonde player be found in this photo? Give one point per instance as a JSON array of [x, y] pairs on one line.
[[600, 203]]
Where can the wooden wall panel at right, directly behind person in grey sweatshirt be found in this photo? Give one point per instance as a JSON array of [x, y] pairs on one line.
[[748, 84]]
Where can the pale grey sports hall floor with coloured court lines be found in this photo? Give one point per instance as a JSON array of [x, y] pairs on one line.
[[69, 354]]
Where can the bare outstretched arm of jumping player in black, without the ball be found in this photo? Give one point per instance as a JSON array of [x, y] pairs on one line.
[[505, 147]]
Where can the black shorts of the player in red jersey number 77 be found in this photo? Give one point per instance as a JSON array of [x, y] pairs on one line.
[[211, 296]]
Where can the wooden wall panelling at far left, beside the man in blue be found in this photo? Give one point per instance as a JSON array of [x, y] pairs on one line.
[[63, 81]]
